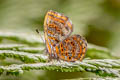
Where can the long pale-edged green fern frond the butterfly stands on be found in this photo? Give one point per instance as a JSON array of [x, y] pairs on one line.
[[106, 67]]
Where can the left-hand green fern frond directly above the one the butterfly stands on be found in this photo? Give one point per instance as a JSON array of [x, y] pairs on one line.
[[23, 56]]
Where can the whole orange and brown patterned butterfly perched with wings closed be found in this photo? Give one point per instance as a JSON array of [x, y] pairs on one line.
[[59, 43]]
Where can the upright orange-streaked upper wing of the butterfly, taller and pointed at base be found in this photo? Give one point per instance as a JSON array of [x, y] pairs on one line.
[[56, 28]]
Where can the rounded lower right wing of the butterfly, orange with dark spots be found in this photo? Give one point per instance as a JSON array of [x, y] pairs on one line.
[[72, 48]]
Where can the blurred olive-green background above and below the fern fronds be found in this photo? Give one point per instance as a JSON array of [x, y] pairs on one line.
[[97, 20]]
